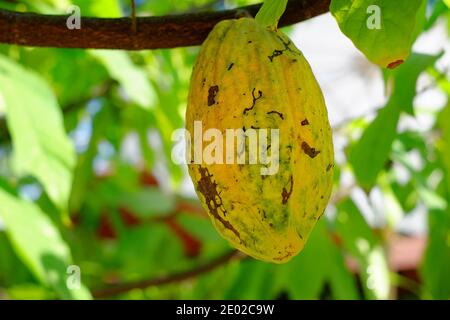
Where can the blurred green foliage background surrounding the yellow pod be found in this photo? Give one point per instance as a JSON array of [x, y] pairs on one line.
[[86, 180]]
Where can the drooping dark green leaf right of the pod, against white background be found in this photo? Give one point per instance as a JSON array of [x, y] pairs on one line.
[[371, 152]]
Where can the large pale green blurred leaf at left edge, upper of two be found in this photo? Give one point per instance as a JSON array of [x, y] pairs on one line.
[[41, 146]]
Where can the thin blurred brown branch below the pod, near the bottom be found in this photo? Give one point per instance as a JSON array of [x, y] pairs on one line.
[[177, 277]]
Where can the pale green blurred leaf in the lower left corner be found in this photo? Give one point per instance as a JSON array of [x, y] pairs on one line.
[[39, 244]]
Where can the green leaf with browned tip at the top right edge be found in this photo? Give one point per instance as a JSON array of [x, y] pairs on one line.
[[384, 30]]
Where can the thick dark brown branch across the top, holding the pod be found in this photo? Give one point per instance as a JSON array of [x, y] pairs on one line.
[[37, 30]]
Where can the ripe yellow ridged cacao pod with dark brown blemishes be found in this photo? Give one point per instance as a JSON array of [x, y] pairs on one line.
[[249, 77]]
